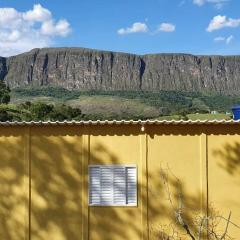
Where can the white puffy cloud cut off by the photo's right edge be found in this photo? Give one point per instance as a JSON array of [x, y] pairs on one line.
[[219, 22]]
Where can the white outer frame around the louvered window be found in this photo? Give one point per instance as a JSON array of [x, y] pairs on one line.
[[114, 205]]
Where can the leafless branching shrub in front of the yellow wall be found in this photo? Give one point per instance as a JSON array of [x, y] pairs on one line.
[[200, 226]]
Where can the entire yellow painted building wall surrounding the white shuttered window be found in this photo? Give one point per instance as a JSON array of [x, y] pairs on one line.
[[44, 179]]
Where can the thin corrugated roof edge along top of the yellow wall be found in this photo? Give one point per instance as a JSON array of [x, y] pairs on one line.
[[122, 122]]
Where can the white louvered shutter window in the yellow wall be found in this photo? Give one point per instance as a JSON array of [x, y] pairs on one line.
[[112, 185]]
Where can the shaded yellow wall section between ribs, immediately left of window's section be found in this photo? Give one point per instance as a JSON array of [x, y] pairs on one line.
[[56, 183]]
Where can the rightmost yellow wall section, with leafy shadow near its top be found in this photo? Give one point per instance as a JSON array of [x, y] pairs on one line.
[[224, 175]]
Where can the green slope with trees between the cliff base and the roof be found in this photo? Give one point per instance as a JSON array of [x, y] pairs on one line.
[[48, 103]]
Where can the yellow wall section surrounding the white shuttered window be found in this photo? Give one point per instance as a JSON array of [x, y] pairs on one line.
[[111, 145]]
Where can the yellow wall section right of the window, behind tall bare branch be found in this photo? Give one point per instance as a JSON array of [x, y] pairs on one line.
[[175, 151]]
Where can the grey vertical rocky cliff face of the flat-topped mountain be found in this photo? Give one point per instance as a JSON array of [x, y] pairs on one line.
[[84, 69]]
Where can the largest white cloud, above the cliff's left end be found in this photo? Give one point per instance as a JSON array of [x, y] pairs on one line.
[[35, 28]]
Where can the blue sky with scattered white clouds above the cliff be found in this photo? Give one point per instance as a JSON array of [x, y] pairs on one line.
[[136, 26]]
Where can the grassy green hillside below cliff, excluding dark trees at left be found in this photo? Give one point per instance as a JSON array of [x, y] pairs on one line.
[[132, 104]]
